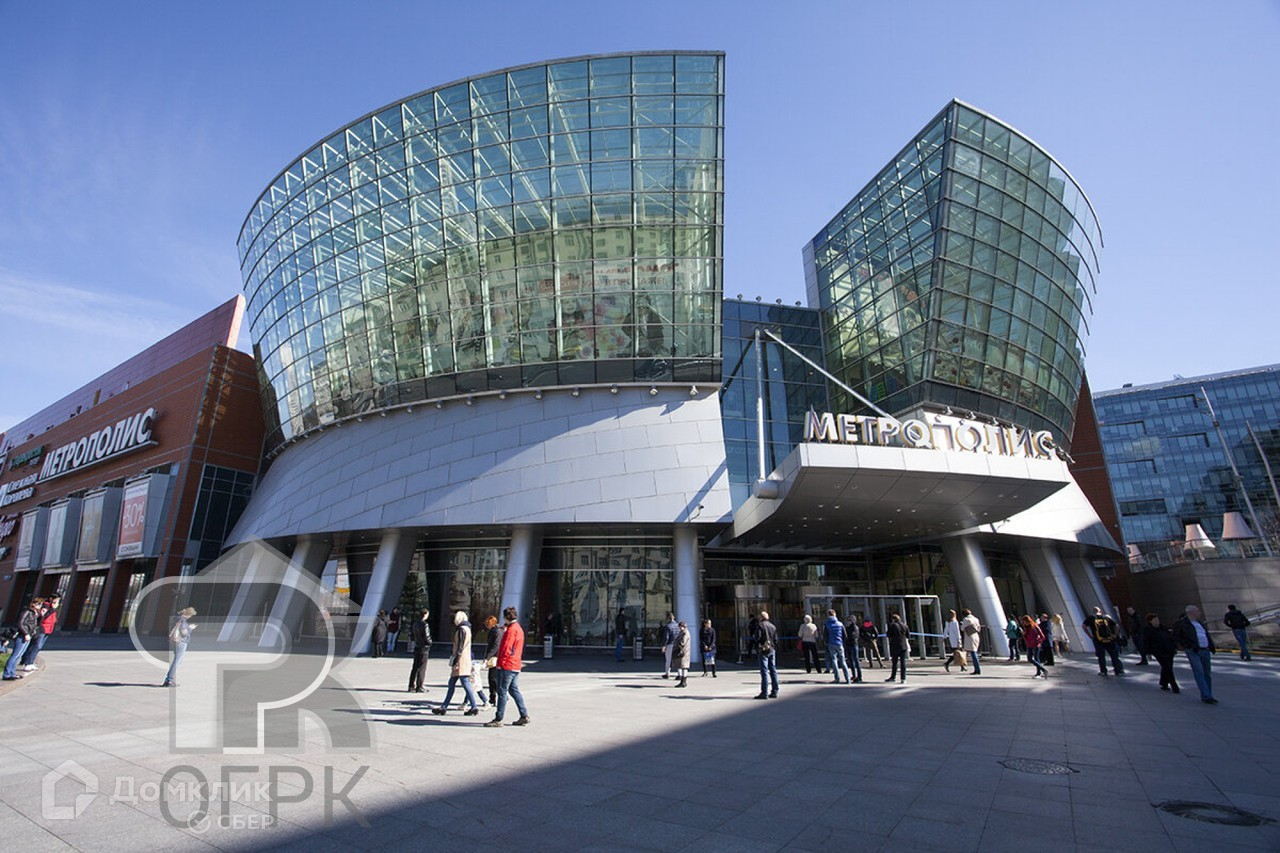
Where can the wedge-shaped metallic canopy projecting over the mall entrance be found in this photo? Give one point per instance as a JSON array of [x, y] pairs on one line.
[[844, 498]]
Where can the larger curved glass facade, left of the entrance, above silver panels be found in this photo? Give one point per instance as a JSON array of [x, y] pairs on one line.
[[545, 226]]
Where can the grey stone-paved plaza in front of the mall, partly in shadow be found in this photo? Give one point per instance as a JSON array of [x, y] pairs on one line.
[[619, 759]]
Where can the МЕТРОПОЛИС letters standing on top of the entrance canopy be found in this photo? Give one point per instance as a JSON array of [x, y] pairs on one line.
[[940, 432]]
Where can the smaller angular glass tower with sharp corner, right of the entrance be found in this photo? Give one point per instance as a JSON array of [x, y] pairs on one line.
[[962, 276]]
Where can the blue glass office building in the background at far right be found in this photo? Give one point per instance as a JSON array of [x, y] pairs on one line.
[[1171, 469]]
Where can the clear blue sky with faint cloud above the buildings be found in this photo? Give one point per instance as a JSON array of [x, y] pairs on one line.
[[136, 136]]
